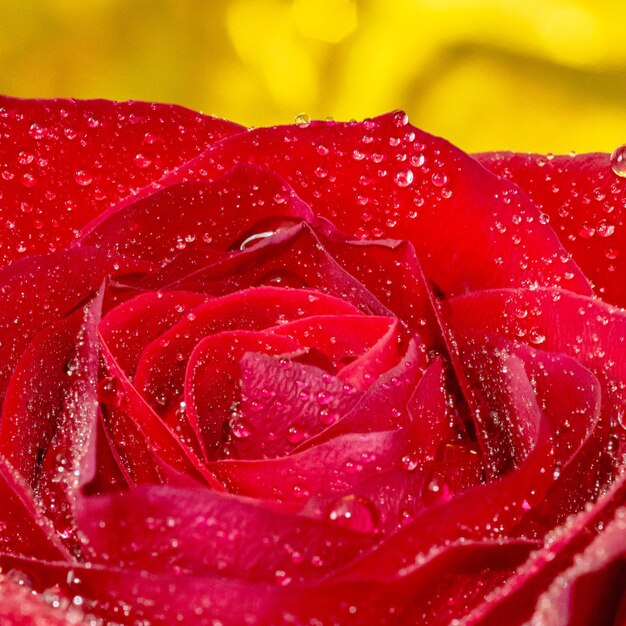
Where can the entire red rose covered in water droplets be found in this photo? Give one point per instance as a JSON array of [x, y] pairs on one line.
[[334, 373]]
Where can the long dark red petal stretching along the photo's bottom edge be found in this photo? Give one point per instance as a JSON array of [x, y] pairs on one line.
[[447, 572]]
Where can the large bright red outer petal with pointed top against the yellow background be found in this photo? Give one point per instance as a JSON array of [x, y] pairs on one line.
[[458, 216]]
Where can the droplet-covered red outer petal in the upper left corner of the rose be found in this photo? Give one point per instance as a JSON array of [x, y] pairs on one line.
[[63, 162]]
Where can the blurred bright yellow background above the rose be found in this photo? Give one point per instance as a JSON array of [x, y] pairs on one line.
[[541, 75]]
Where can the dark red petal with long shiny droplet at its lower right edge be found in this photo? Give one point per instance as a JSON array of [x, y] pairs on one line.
[[239, 209]]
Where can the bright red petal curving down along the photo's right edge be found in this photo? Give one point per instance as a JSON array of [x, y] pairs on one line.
[[589, 331]]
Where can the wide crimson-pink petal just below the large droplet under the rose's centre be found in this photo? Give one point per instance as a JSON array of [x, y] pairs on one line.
[[197, 531]]
